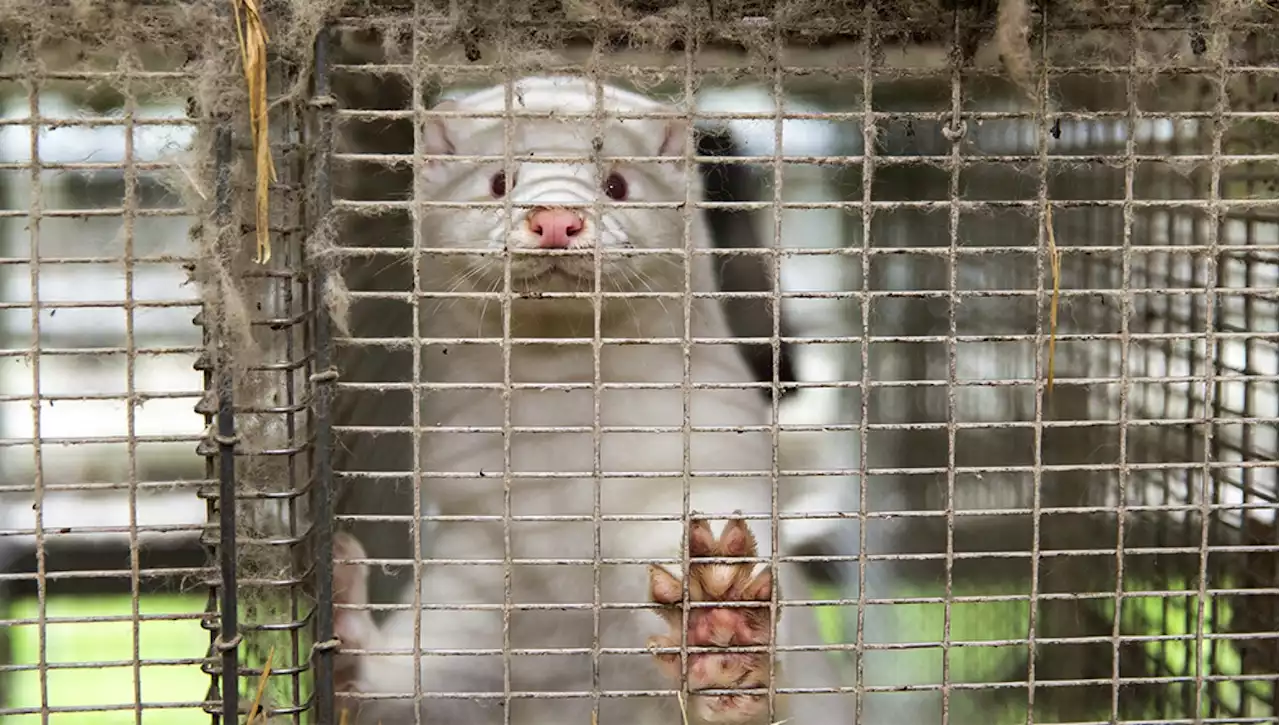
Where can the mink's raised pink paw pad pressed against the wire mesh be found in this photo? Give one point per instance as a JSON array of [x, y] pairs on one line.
[[719, 627]]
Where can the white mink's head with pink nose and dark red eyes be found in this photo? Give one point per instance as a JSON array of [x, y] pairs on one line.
[[573, 170]]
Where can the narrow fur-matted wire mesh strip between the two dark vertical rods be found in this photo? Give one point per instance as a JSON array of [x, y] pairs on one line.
[[267, 417]]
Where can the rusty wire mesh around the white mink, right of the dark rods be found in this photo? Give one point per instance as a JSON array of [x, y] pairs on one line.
[[1122, 494]]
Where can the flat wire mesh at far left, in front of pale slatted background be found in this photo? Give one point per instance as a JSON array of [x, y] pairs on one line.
[[99, 518]]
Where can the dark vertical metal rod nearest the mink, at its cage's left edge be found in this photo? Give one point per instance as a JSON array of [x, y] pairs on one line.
[[323, 380]]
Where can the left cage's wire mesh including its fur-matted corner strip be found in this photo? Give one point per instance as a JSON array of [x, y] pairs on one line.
[[129, 275]]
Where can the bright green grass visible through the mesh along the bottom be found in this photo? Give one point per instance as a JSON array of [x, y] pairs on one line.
[[185, 640]]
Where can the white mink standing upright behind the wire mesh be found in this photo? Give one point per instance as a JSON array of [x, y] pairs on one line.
[[543, 217]]
